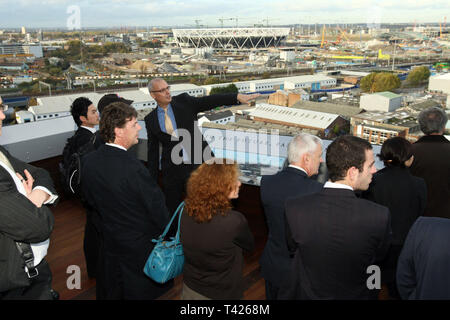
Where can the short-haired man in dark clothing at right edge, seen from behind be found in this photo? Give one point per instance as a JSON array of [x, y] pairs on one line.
[[432, 161]]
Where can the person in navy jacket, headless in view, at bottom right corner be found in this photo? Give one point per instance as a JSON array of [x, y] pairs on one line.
[[424, 262]]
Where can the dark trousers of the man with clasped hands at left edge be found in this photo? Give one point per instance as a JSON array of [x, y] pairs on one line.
[[39, 288]]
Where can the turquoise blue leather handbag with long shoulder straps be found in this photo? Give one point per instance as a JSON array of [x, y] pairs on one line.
[[167, 259]]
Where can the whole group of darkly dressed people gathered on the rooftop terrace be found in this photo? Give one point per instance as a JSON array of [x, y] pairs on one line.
[[322, 237]]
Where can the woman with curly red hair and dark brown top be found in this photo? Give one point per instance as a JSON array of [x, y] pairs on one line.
[[213, 235]]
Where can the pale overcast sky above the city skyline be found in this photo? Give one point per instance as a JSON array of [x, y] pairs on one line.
[[184, 13]]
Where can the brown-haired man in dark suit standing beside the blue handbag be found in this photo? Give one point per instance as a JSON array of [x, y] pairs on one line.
[[130, 206]]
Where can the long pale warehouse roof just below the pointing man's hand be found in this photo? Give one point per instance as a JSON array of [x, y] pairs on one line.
[[299, 117]]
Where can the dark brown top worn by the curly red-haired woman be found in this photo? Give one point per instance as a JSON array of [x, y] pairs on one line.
[[213, 254]]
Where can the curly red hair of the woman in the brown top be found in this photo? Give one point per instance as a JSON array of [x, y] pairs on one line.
[[208, 189]]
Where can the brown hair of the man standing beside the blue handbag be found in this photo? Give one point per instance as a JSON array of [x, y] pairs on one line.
[[114, 116]]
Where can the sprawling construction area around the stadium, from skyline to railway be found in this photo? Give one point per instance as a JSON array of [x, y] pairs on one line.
[[204, 55]]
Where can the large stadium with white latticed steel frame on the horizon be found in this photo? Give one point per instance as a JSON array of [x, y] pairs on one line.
[[227, 38]]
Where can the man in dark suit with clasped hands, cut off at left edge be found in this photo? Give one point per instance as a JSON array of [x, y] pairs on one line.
[[24, 220]]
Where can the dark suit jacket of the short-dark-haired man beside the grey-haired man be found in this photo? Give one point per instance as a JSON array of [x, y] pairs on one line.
[[338, 237]]
